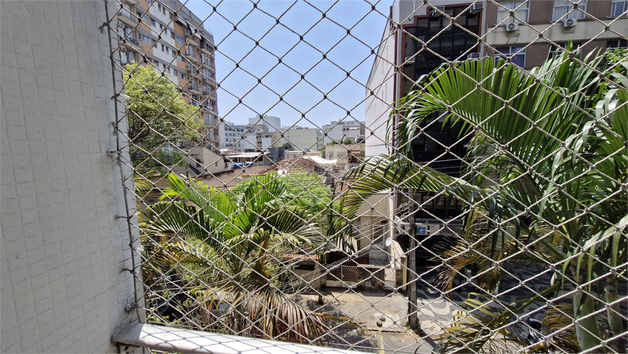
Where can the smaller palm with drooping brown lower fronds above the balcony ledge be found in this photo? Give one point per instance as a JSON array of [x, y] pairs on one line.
[[225, 252]]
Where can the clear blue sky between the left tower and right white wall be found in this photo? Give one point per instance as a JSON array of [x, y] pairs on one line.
[[326, 35]]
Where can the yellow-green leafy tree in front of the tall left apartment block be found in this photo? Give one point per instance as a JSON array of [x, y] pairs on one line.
[[158, 119]]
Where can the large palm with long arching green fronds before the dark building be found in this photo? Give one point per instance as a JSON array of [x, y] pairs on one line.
[[543, 180]]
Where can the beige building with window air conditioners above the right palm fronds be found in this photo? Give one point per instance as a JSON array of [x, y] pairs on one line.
[[593, 25]]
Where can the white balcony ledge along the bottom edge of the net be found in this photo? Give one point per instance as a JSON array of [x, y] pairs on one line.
[[190, 341]]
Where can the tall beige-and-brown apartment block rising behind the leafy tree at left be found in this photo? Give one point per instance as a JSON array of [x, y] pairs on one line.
[[170, 37]]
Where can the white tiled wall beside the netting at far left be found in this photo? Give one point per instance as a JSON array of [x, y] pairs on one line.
[[62, 286]]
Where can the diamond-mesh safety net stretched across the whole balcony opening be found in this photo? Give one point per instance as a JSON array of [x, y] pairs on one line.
[[407, 176]]
